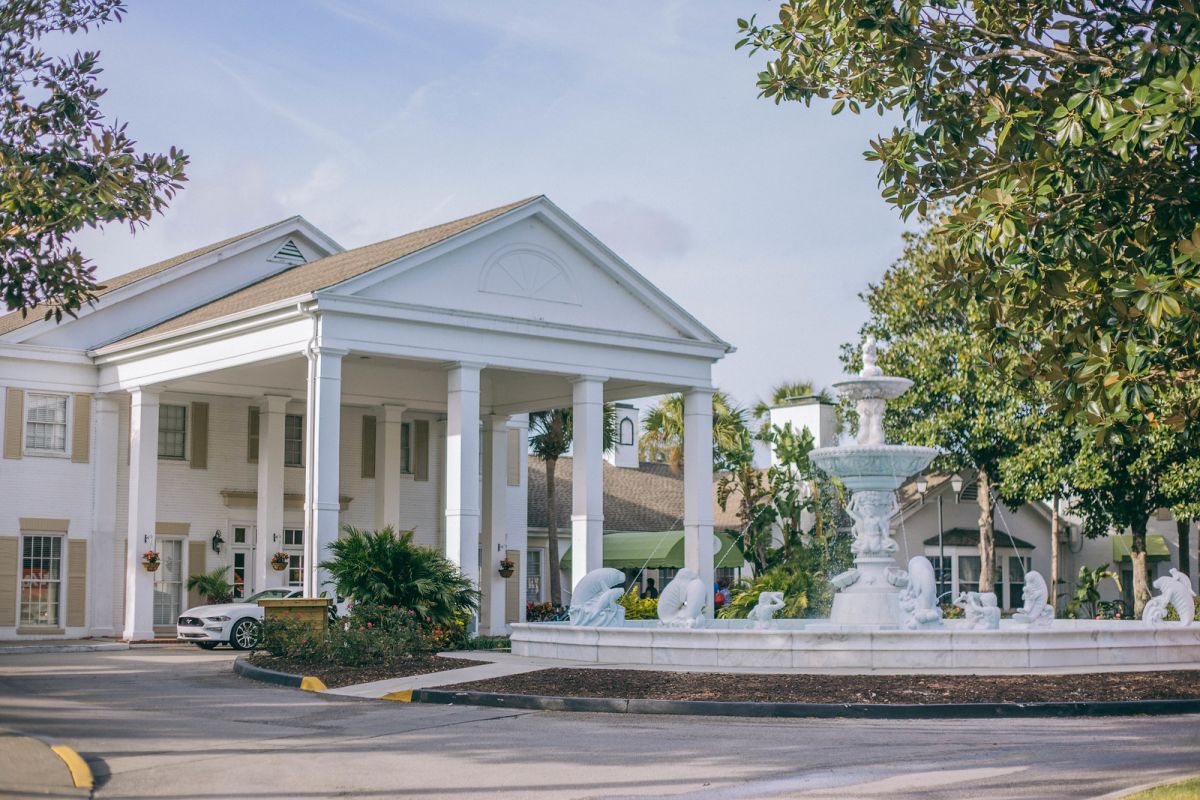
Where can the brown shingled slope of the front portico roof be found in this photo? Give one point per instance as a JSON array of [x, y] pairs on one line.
[[325, 273]]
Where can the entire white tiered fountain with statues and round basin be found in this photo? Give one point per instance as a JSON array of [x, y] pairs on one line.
[[884, 618]]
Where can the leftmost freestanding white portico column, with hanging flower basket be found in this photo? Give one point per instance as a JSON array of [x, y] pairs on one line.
[[104, 519]]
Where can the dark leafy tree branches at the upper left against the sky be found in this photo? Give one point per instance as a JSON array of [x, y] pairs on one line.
[[63, 166]]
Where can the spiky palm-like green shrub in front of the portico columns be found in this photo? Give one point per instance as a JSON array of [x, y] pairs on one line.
[[386, 569]]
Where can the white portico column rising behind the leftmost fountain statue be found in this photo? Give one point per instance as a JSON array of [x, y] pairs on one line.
[[587, 478]]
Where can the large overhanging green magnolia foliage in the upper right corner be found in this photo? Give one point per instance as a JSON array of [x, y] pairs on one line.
[[1063, 139]]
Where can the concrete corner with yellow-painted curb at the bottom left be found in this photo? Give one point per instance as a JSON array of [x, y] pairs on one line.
[[32, 767]]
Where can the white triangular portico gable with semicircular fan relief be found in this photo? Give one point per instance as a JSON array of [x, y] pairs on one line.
[[517, 266]]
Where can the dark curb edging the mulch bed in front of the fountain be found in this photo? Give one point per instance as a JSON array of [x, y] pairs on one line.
[[820, 711]]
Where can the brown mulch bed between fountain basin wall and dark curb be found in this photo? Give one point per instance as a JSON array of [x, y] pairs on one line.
[[635, 684]]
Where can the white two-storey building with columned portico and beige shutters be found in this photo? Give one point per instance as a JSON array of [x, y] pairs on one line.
[[253, 396]]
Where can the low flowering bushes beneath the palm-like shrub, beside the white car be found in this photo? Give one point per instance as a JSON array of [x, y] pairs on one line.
[[373, 635]]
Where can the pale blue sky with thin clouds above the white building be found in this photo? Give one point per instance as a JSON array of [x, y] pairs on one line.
[[374, 118]]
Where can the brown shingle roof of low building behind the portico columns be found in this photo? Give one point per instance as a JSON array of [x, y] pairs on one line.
[[647, 498]]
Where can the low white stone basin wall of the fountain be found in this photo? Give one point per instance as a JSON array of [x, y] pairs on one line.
[[819, 646]]
